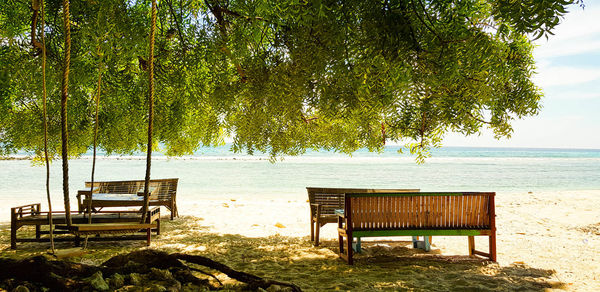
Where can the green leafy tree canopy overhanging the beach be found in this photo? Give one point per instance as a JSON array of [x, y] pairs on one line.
[[276, 76]]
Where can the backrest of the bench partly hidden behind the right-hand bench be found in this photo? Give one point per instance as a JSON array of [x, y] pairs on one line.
[[332, 199]]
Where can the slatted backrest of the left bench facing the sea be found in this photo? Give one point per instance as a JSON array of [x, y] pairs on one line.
[[163, 189]]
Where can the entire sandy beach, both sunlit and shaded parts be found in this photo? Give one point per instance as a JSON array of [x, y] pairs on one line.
[[546, 240]]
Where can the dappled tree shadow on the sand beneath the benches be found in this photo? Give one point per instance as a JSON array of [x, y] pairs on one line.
[[381, 266]]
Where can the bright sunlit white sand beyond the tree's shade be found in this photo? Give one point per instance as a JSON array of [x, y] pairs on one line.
[[540, 230]]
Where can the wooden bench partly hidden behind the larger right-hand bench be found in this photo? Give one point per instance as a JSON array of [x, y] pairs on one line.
[[324, 202]]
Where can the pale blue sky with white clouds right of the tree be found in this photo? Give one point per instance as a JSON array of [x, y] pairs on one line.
[[568, 71]]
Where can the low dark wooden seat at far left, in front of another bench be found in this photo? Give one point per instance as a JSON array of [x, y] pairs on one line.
[[113, 222]]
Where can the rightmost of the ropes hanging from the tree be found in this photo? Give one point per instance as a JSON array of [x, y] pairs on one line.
[[150, 112]]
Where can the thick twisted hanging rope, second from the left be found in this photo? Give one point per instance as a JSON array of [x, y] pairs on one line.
[[63, 112]]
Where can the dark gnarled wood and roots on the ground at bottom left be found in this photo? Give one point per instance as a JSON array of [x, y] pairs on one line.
[[57, 275]]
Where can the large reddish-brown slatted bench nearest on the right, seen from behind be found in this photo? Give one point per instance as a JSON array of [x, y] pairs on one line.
[[417, 214]]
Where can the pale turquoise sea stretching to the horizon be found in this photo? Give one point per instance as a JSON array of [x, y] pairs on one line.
[[217, 173]]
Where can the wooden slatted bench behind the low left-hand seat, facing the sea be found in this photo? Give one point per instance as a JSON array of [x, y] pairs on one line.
[[162, 193]]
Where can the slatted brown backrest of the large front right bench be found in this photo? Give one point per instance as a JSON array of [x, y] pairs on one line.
[[368, 211]]
